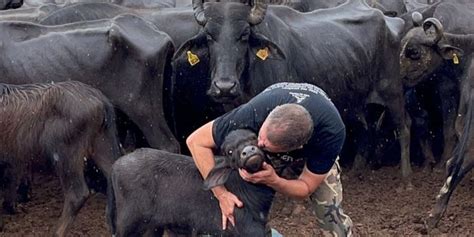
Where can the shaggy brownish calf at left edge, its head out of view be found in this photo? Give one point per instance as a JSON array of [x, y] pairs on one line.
[[67, 124]]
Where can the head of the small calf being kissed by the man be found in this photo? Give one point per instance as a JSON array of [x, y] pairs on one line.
[[239, 150]]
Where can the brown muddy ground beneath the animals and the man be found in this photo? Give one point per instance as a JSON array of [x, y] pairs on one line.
[[375, 206]]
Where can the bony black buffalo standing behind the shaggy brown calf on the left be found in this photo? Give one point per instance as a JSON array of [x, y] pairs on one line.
[[125, 57]]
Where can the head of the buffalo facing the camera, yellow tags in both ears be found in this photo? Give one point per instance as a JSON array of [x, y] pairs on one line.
[[230, 42]]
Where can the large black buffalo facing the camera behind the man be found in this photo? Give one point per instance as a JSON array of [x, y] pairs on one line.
[[334, 48]]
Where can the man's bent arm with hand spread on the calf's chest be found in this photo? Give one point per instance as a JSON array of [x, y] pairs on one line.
[[200, 143]]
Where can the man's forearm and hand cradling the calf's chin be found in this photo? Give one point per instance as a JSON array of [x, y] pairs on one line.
[[300, 188]]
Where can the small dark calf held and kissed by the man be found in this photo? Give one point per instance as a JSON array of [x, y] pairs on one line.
[[153, 190]]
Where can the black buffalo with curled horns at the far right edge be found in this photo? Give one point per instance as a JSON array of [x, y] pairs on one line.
[[440, 60]]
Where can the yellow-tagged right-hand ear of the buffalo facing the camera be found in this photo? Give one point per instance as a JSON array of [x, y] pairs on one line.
[[260, 42]]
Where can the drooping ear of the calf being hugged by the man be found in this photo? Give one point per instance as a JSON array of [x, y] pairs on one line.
[[219, 174]]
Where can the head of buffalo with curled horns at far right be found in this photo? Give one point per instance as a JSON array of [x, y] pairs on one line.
[[424, 49]]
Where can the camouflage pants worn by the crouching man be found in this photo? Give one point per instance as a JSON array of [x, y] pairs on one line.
[[326, 203]]
